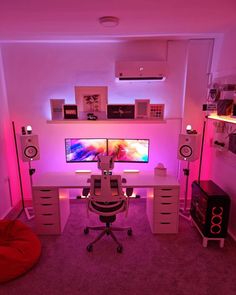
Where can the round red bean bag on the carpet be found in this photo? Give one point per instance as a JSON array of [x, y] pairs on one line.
[[20, 249]]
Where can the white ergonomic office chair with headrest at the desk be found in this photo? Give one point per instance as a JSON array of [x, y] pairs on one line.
[[107, 199]]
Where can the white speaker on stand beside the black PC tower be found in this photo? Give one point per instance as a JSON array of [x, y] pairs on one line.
[[189, 147]]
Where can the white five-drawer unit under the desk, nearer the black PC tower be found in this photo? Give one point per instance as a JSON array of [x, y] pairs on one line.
[[163, 209]]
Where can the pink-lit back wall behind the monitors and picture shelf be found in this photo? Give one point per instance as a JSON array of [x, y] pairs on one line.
[[37, 72]]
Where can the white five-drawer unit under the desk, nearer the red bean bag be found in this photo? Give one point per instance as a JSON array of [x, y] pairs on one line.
[[52, 208]]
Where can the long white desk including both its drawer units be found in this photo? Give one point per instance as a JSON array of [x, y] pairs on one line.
[[51, 199]]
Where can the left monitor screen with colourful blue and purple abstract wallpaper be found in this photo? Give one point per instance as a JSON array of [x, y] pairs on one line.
[[84, 150]]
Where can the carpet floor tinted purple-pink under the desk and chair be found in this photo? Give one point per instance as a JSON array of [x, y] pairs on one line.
[[150, 264]]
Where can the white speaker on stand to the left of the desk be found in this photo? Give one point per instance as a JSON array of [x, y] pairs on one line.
[[30, 147]]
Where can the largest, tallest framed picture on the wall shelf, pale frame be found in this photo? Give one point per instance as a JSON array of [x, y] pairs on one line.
[[91, 99]]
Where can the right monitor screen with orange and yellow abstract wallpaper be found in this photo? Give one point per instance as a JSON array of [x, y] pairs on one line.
[[128, 150]]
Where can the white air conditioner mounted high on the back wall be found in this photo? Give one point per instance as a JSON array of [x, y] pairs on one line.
[[140, 70]]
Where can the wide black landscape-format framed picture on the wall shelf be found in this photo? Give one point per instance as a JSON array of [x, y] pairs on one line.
[[120, 111]]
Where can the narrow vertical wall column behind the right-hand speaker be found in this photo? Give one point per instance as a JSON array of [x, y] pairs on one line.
[[199, 55]]
